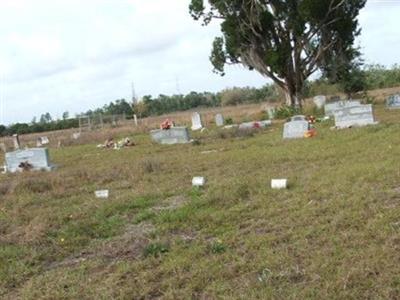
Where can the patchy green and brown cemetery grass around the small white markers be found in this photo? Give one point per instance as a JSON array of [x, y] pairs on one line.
[[333, 234]]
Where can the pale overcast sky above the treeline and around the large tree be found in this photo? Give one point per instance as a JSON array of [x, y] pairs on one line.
[[75, 55]]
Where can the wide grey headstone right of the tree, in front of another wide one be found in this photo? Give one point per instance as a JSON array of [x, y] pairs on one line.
[[361, 115]]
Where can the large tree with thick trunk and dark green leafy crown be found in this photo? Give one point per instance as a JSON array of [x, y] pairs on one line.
[[284, 40]]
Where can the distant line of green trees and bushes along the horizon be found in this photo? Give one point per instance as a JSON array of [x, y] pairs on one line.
[[371, 77]]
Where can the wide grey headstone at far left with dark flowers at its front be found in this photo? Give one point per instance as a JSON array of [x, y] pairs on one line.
[[35, 159]]
